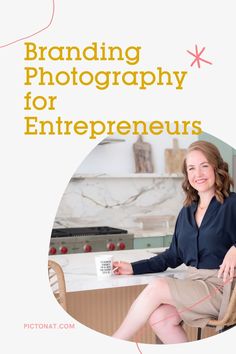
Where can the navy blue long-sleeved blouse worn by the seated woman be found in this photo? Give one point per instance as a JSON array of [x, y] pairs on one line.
[[202, 247]]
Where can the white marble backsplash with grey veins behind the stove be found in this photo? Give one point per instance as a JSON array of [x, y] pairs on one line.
[[145, 204]]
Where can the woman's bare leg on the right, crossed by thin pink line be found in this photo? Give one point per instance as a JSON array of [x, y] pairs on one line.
[[165, 322]]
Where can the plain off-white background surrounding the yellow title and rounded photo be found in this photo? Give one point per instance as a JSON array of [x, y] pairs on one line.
[[35, 170]]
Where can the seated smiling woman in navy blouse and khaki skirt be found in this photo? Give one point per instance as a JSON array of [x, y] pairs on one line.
[[204, 240]]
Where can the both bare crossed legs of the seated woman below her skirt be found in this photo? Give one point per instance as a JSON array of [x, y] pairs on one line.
[[154, 304]]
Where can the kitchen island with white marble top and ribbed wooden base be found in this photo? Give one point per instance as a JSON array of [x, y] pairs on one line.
[[101, 304]]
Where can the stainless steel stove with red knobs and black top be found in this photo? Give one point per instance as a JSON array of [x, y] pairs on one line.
[[89, 239]]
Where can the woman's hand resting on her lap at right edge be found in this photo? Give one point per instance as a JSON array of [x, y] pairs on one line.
[[229, 264]]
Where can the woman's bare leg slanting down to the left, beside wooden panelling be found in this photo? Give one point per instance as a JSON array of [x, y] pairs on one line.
[[154, 295]]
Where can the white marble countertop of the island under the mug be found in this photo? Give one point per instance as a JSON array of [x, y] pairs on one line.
[[80, 272]]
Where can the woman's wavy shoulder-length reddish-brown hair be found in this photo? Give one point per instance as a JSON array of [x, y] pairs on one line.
[[223, 181]]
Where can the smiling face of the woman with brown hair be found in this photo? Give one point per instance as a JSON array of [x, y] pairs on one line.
[[201, 174]]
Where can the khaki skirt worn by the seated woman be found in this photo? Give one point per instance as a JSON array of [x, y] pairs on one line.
[[200, 296]]
